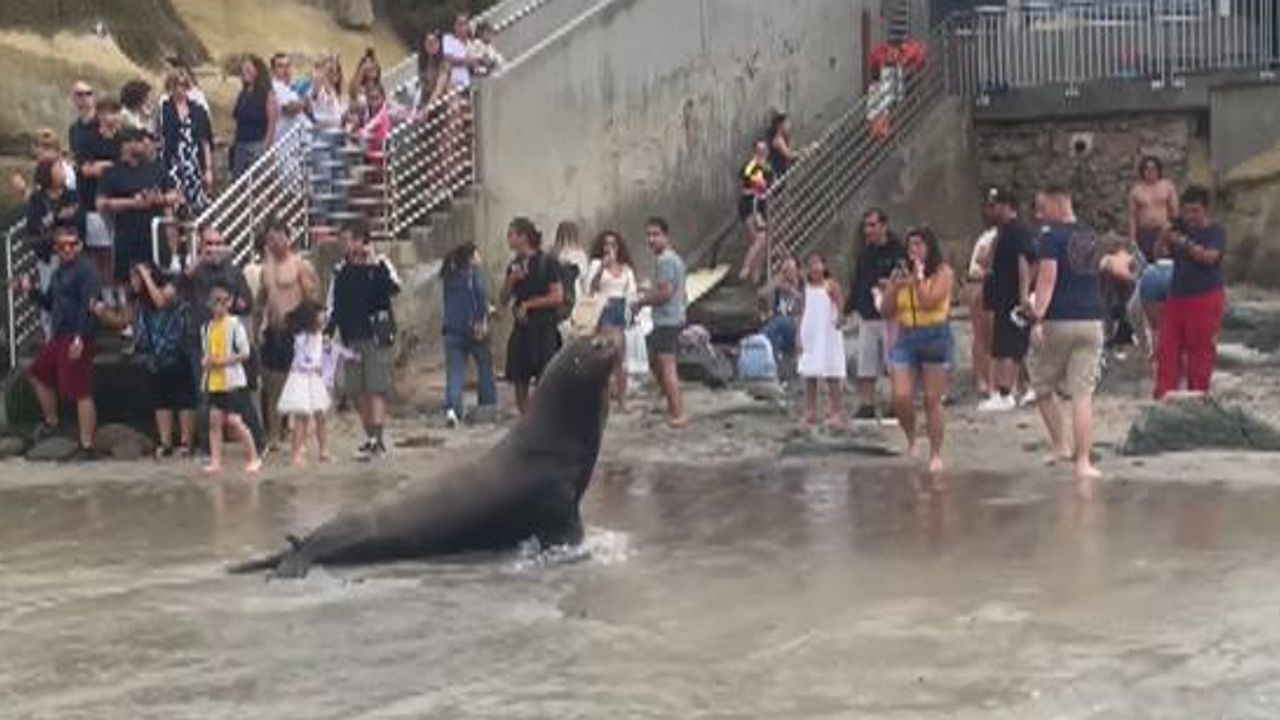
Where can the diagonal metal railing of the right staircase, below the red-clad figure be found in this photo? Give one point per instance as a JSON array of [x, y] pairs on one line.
[[806, 200]]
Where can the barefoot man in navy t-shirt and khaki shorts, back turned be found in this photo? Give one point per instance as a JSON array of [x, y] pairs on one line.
[[1067, 329]]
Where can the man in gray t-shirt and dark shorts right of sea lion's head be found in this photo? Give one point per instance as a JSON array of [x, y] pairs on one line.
[[669, 300]]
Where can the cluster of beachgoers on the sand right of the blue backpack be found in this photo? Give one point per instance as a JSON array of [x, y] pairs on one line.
[[1045, 302]]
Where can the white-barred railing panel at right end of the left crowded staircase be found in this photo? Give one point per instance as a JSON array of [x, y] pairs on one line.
[[431, 160]]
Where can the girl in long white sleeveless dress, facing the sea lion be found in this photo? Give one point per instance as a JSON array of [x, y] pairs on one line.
[[820, 341]]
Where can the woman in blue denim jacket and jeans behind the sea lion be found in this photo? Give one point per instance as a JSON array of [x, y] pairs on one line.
[[467, 331]]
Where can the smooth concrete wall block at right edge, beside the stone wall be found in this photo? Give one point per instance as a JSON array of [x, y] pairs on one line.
[[1245, 121]]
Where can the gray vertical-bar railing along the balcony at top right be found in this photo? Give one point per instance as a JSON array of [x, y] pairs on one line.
[[998, 49]]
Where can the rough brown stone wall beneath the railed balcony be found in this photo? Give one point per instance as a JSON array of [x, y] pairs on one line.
[[1095, 157]]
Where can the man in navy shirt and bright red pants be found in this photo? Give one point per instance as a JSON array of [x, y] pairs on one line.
[[1194, 313]]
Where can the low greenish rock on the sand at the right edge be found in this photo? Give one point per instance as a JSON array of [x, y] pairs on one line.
[[1196, 423]]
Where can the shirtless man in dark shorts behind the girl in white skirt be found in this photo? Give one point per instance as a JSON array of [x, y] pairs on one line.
[[287, 280]]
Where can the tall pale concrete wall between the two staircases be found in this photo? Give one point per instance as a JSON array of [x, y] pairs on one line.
[[646, 107]]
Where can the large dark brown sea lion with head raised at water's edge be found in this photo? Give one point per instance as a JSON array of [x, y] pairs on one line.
[[528, 486]]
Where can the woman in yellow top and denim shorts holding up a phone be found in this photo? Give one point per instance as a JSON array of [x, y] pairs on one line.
[[920, 300]]
